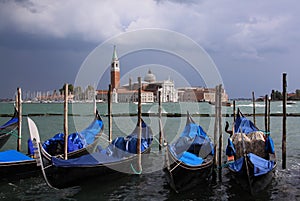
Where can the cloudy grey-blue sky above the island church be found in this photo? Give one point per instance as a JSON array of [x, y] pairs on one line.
[[43, 44]]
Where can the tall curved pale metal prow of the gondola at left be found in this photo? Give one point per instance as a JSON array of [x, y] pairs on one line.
[[35, 138]]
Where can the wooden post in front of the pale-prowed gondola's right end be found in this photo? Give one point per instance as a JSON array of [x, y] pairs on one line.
[[138, 144]]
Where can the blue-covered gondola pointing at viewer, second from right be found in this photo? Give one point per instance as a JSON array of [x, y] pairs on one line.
[[189, 160]]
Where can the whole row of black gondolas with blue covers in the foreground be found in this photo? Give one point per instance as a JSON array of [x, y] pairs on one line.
[[188, 159]]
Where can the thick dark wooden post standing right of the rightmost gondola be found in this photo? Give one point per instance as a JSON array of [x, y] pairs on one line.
[[284, 100]]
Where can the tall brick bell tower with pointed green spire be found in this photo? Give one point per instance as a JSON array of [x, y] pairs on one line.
[[115, 71]]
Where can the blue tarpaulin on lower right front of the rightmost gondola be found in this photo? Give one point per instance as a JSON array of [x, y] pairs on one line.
[[261, 165]]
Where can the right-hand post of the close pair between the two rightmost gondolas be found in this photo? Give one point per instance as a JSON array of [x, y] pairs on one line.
[[220, 130]]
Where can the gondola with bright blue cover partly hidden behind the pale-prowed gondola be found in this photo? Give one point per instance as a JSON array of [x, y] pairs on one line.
[[17, 165]]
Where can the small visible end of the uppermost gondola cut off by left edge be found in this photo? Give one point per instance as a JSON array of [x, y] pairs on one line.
[[9, 128]]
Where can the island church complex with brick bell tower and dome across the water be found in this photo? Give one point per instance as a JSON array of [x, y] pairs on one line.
[[150, 88]]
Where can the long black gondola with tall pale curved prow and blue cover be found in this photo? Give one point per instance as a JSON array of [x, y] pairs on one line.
[[119, 157]]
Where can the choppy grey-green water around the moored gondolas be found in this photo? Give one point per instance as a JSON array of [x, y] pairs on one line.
[[153, 185]]
